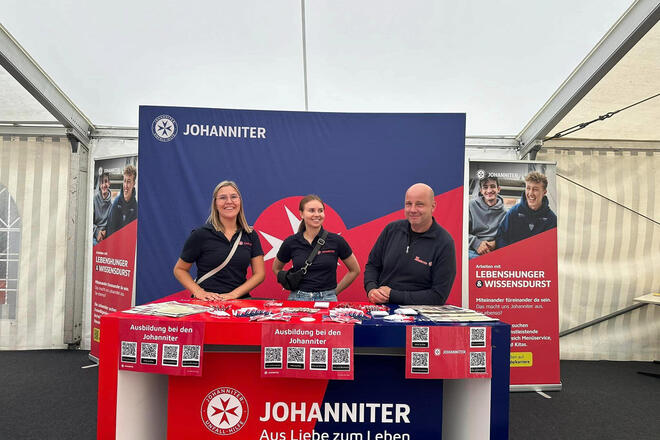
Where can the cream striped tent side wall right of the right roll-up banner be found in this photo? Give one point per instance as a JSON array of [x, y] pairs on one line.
[[609, 250]]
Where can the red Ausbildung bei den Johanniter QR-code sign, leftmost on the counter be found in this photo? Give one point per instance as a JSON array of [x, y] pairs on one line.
[[161, 346]]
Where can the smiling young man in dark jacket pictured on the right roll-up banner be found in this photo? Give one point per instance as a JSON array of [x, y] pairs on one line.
[[531, 216]]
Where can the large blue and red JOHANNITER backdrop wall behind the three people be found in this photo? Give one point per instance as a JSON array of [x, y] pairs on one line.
[[359, 164]]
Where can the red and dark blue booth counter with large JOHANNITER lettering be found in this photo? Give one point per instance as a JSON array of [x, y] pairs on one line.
[[231, 398]]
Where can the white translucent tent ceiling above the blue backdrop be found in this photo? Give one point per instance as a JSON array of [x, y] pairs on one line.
[[488, 59]]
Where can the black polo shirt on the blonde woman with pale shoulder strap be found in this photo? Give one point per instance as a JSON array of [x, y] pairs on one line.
[[208, 248]]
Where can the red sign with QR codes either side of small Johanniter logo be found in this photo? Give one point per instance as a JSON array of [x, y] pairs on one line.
[[442, 352]]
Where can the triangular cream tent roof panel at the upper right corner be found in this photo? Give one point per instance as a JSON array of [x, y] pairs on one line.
[[635, 77]]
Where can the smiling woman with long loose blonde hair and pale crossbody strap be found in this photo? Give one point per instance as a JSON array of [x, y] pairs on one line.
[[209, 246]]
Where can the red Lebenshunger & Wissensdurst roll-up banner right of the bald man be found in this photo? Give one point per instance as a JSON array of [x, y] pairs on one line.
[[512, 248]]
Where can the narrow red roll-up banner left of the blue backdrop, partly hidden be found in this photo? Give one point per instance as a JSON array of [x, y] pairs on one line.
[[114, 235]]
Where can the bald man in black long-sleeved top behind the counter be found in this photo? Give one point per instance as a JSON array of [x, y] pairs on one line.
[[413, 261]]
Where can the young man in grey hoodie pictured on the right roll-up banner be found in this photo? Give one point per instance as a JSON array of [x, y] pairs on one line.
[[486, 214]]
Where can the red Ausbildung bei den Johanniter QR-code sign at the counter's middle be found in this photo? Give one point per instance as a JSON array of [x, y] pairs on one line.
[[309, 350]]
